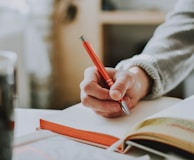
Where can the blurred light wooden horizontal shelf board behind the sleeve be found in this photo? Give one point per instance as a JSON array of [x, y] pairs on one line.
[[136, 17]]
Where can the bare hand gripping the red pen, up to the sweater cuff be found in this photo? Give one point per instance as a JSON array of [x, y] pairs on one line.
[[132, 85]]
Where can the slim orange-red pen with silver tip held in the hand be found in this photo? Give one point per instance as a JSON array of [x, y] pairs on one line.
[[102, 70]]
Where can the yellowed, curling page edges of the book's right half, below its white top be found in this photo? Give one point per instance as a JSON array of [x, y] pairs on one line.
[[175, 132]]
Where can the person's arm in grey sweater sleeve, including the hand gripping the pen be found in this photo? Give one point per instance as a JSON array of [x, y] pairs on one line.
[[166, 61]]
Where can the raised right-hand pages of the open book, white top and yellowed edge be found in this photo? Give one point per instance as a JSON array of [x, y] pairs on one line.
[[174, 126]]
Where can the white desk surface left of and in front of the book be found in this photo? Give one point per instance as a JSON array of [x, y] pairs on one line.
[[55, 147]]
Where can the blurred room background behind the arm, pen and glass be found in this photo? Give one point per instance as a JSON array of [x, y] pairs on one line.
[[51, 60]]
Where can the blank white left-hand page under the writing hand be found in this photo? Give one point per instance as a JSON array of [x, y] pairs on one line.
[[83, 118]]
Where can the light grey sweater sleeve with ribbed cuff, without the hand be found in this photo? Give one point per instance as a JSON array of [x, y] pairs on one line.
[[168, 57]]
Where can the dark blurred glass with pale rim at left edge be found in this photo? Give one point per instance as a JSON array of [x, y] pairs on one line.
[[7, 98]]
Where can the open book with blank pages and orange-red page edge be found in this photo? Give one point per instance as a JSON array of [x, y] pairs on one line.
[[167, 120]]
